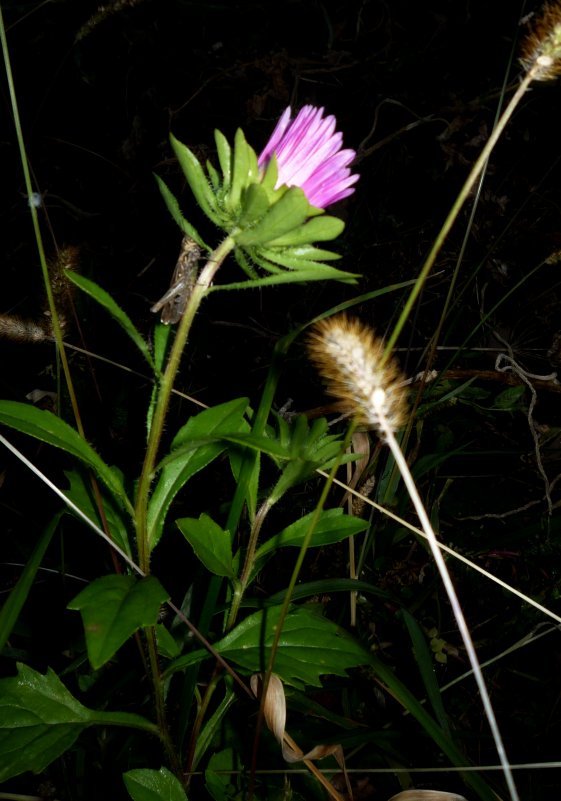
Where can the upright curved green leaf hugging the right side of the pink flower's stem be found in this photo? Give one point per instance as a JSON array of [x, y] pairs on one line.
[[179, 467]]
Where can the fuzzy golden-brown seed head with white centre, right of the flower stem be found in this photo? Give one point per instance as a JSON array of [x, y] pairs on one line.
[[349, 357]]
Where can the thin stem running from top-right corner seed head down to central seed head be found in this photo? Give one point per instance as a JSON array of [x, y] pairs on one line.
[[459, 202]]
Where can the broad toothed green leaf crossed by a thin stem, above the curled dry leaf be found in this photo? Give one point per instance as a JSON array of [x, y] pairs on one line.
[[310, 646]]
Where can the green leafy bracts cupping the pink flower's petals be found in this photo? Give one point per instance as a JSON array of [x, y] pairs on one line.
[[272, 228]]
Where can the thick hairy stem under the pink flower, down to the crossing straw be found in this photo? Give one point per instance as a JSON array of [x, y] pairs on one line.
[[162, 403]]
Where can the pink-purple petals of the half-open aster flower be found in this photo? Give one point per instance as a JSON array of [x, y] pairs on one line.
[[309, 155]]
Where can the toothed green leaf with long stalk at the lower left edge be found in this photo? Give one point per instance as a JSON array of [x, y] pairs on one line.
[[41, 720]]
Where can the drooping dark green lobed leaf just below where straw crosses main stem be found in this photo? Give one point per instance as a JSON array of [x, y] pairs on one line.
[[113, 608]]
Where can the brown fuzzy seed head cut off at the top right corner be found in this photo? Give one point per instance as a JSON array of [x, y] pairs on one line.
[[541, 50]]
